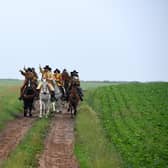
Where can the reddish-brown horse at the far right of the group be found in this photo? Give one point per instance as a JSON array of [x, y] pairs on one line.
[[73, 100]]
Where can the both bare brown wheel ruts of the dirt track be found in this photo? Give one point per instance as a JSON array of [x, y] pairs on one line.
[[59, 145]]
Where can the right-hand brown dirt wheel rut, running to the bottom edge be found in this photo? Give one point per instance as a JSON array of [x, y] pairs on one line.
[[59, 144]]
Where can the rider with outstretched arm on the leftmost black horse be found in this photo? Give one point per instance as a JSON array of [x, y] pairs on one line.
[[28, 74]]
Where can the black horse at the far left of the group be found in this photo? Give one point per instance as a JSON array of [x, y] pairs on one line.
[[29, 93]]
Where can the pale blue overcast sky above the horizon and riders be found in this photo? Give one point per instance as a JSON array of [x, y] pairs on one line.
[[116, 40]]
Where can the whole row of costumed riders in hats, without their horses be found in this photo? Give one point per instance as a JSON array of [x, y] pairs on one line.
[[63, 80]]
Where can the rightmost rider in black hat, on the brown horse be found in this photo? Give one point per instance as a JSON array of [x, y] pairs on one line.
[[76, 82]]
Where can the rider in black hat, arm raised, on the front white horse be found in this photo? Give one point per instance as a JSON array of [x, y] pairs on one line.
[[48, 76]]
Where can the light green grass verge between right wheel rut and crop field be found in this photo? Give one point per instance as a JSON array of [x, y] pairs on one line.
[[91, 147]]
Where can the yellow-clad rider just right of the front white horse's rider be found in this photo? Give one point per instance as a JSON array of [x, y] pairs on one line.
[[58, 78]]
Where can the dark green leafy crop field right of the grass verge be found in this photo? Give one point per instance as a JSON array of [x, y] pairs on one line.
[[134, 118]]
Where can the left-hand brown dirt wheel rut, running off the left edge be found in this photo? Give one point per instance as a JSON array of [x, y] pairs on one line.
[[13, 134]]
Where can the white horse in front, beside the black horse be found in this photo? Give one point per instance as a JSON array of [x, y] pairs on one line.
[[45, 100]]
